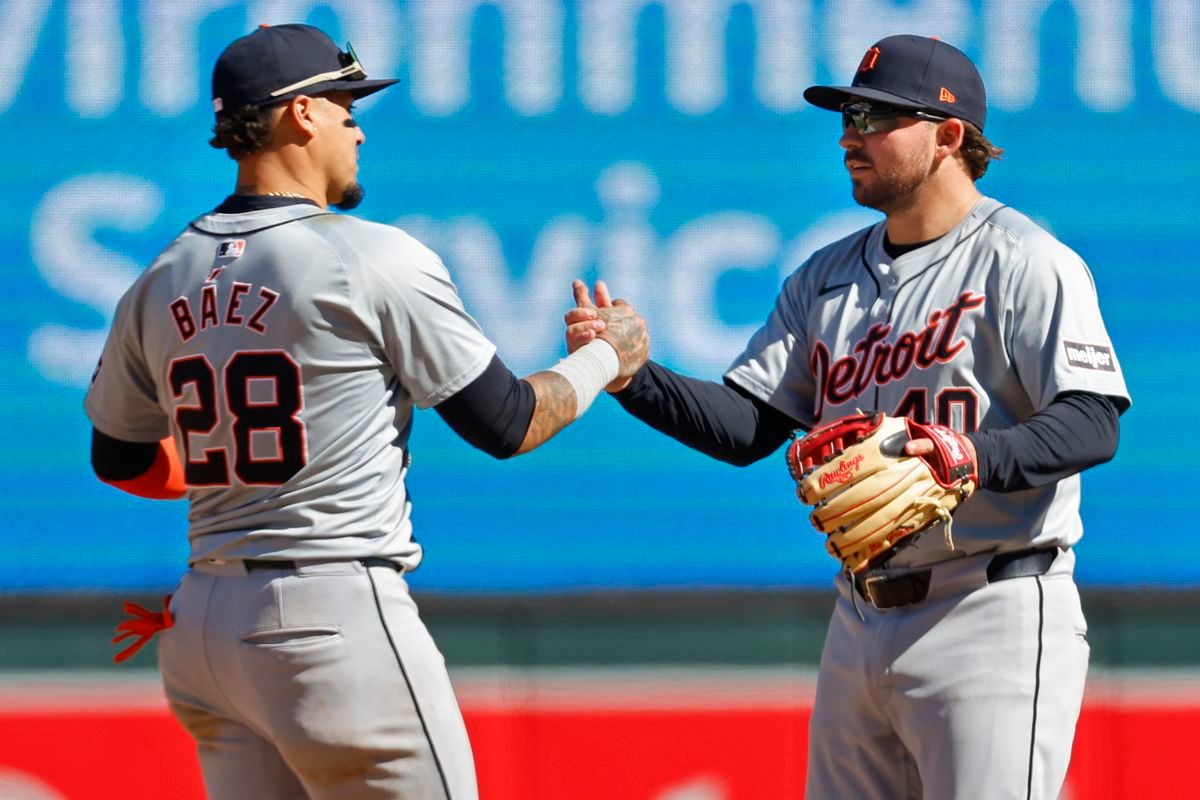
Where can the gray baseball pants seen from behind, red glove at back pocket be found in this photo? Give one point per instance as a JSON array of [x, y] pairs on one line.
[[314, 682]]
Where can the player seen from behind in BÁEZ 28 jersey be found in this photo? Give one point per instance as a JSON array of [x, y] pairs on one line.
[[267, 366]]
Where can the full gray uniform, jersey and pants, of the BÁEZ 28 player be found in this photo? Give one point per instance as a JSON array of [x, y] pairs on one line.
[[285, 351]]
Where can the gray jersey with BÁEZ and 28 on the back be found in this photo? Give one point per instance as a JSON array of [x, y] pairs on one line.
[[286, 350]]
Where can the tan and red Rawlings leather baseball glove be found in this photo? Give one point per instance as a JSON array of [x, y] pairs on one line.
[[867, 495]]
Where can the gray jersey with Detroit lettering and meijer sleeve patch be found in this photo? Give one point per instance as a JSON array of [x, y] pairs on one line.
[[979, 330]]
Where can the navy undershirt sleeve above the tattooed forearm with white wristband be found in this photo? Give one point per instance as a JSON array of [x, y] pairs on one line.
[[493, 412]]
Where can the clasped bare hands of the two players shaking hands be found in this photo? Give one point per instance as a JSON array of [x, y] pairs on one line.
[[613, 321]]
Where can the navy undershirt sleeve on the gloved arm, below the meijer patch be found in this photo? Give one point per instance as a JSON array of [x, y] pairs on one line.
[[1077, 431]]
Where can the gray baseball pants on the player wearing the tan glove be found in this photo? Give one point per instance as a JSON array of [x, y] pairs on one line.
[[970, 695]]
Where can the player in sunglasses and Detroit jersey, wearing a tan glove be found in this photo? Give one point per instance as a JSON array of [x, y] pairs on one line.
[[953, 667]]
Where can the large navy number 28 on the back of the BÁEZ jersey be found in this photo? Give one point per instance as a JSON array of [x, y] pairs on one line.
[[277, 417]]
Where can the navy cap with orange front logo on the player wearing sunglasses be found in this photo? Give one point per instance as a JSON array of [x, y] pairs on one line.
[[913, 73]]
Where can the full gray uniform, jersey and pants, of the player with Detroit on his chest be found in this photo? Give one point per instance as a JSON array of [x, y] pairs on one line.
[[974, 690]]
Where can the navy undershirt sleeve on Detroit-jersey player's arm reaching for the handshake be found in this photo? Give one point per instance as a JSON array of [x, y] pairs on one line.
[[718, 420]]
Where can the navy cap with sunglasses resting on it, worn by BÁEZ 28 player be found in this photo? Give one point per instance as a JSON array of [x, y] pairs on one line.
[[278, 63]]
